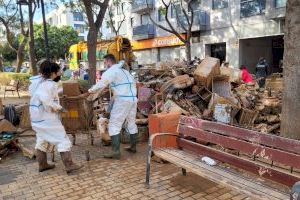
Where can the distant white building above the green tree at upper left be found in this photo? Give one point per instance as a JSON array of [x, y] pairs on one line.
[[63, 16]]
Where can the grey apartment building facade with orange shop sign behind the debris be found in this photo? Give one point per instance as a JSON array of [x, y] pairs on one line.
[[236, 31]]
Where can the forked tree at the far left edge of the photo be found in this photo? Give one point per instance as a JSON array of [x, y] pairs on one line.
[[11, 20]]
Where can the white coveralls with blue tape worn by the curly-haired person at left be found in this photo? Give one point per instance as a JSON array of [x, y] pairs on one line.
[[45, 121]]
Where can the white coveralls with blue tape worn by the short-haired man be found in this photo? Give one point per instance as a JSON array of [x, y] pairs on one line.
[[125, 101]]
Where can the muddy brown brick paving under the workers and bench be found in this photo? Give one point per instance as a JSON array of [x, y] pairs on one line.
[[101, 179]]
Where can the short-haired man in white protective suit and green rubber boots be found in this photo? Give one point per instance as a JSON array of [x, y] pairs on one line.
[[124, 107]]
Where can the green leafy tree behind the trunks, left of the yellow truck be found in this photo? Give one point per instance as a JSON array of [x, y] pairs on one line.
[[60, 39]]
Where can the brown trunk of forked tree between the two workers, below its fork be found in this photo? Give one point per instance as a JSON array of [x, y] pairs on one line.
[[92, 46]]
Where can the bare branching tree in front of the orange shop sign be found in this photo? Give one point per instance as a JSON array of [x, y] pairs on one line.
[[184, 19]]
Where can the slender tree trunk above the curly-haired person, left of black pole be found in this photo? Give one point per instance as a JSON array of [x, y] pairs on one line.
[[31, 41]]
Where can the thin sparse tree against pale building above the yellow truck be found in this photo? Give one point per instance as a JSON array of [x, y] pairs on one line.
[[115, 27]]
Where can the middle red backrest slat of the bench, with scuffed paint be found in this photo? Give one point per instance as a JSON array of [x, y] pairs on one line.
[[267, 153]]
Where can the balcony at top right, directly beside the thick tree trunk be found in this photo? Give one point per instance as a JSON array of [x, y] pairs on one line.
[[276, 9]]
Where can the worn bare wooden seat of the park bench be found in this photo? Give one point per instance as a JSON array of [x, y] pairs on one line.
[[220, 175]]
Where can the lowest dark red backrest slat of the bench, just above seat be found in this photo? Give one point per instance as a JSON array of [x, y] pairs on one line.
[[256, 168]]
